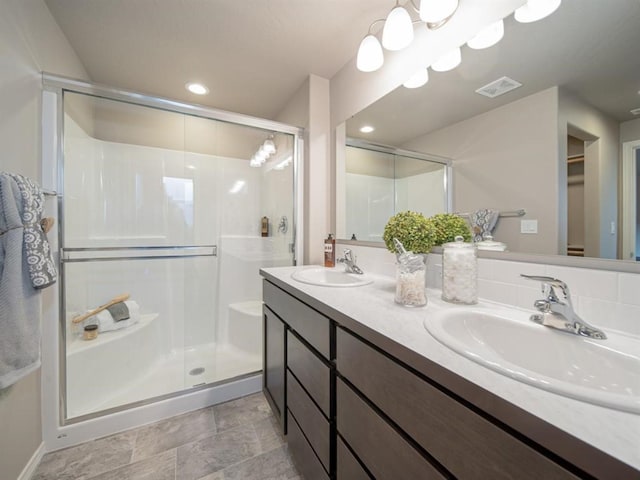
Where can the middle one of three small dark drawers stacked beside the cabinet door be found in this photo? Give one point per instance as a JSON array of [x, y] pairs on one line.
[[311, 421]]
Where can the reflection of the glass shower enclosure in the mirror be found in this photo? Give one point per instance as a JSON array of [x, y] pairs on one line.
[[382, 181]]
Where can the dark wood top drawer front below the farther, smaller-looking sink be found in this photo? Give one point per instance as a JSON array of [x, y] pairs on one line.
[[311, 325]]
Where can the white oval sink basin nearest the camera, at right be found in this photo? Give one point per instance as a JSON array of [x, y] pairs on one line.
[[602, 372]]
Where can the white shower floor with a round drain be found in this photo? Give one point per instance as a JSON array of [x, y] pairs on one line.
[[180, 370]]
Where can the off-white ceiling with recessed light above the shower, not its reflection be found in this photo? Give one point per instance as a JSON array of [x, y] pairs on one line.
[[253, 55]]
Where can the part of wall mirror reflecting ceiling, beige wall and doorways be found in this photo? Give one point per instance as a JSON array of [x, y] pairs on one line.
[[580, 79]]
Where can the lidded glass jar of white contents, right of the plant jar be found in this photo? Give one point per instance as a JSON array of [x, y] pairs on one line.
[[460, 272]]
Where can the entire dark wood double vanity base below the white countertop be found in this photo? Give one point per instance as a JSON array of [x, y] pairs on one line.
[[356, 405]]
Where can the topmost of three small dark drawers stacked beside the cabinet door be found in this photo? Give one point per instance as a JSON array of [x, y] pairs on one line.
[[312, 373]]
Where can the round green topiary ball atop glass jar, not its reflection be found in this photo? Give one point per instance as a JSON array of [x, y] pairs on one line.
[[412, 229]]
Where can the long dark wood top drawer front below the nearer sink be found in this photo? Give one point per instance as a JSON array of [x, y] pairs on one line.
[[466, 444]]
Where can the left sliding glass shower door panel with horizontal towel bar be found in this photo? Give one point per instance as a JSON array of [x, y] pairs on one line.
[[129, 229]]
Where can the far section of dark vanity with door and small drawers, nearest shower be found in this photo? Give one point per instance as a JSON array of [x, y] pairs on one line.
[[298, 352]]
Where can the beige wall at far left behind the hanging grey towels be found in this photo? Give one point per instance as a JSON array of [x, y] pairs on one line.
[[30, 42]]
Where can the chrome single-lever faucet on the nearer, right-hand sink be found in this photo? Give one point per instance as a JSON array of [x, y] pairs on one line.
[[558, 313]]
